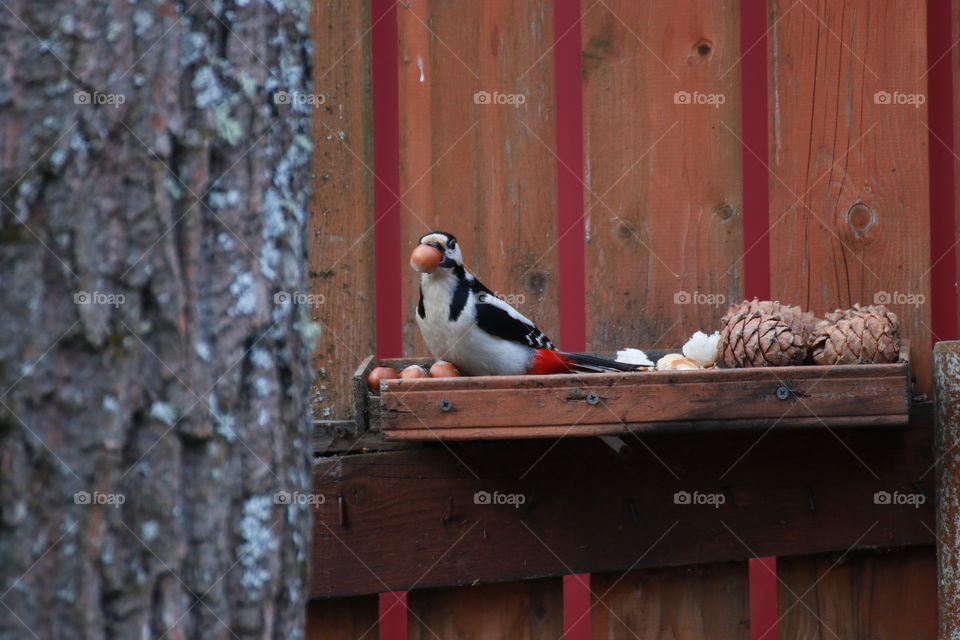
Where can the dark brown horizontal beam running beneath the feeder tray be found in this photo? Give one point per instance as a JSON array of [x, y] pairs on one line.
[[411, 516]]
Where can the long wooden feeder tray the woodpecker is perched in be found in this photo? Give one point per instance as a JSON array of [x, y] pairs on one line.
[[593, 404]]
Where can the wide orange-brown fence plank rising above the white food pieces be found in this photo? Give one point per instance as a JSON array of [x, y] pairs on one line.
[[663, 193]]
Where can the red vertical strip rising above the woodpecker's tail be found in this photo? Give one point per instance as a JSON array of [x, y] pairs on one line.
[[569, 118]]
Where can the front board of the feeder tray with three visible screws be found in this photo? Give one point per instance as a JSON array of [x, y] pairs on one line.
[[650, 402]]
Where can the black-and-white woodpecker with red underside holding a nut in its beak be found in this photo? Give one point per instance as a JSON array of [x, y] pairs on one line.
[[465, 323]]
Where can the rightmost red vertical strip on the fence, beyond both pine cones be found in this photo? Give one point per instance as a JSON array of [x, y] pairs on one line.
[[943, 258]]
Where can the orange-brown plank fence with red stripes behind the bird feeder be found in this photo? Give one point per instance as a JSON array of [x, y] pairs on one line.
[[667, 158]]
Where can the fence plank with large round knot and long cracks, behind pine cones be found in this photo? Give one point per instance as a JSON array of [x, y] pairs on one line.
[[849, 210]]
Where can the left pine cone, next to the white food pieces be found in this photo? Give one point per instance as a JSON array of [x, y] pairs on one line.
[[756, 339]]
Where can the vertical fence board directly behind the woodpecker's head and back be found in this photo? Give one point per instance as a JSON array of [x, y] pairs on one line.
[[484, 172]]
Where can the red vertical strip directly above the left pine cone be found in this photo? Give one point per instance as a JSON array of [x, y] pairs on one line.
[[756, 196]]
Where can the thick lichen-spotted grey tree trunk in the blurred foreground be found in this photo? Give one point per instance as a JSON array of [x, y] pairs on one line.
[[154, 172]]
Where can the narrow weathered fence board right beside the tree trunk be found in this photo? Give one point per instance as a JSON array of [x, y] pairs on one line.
[[341, 240]]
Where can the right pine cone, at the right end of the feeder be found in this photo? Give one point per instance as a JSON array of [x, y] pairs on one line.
[[861, 335]]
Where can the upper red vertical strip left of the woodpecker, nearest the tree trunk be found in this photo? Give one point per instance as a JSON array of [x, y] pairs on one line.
[[386, 186]]
